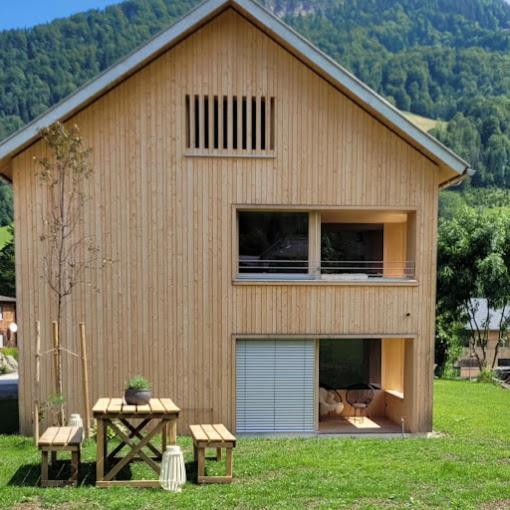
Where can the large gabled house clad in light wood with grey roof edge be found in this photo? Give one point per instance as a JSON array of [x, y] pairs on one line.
[[225, 143]]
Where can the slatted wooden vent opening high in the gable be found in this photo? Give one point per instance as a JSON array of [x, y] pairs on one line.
[[230, 125]]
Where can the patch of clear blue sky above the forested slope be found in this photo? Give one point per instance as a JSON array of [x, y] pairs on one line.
[[26, 13]]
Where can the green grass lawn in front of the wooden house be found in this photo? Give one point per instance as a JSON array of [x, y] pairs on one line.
[[468, 467]]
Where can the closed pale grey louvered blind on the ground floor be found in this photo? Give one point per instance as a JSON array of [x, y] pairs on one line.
[[275, 385]]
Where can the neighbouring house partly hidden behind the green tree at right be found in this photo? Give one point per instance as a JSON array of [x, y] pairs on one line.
[[468, 362]]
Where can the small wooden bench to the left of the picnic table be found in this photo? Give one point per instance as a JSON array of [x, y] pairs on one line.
[[60, 439]]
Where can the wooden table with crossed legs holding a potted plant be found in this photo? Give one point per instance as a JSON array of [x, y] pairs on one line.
[[160, 413]]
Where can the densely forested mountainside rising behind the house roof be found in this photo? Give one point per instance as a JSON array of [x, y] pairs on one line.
[[445, 59]]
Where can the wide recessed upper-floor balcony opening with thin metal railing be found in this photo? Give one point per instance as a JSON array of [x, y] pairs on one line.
[[334, 246]]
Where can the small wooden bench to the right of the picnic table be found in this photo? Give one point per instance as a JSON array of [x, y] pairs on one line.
[[212, 436]]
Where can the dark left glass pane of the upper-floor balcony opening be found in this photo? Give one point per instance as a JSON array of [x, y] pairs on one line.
[[273, 242]]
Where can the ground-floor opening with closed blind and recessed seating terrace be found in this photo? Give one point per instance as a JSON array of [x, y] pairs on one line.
[[308, 385]]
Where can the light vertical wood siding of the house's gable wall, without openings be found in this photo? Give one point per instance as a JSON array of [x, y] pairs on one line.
[[167, 307]]
